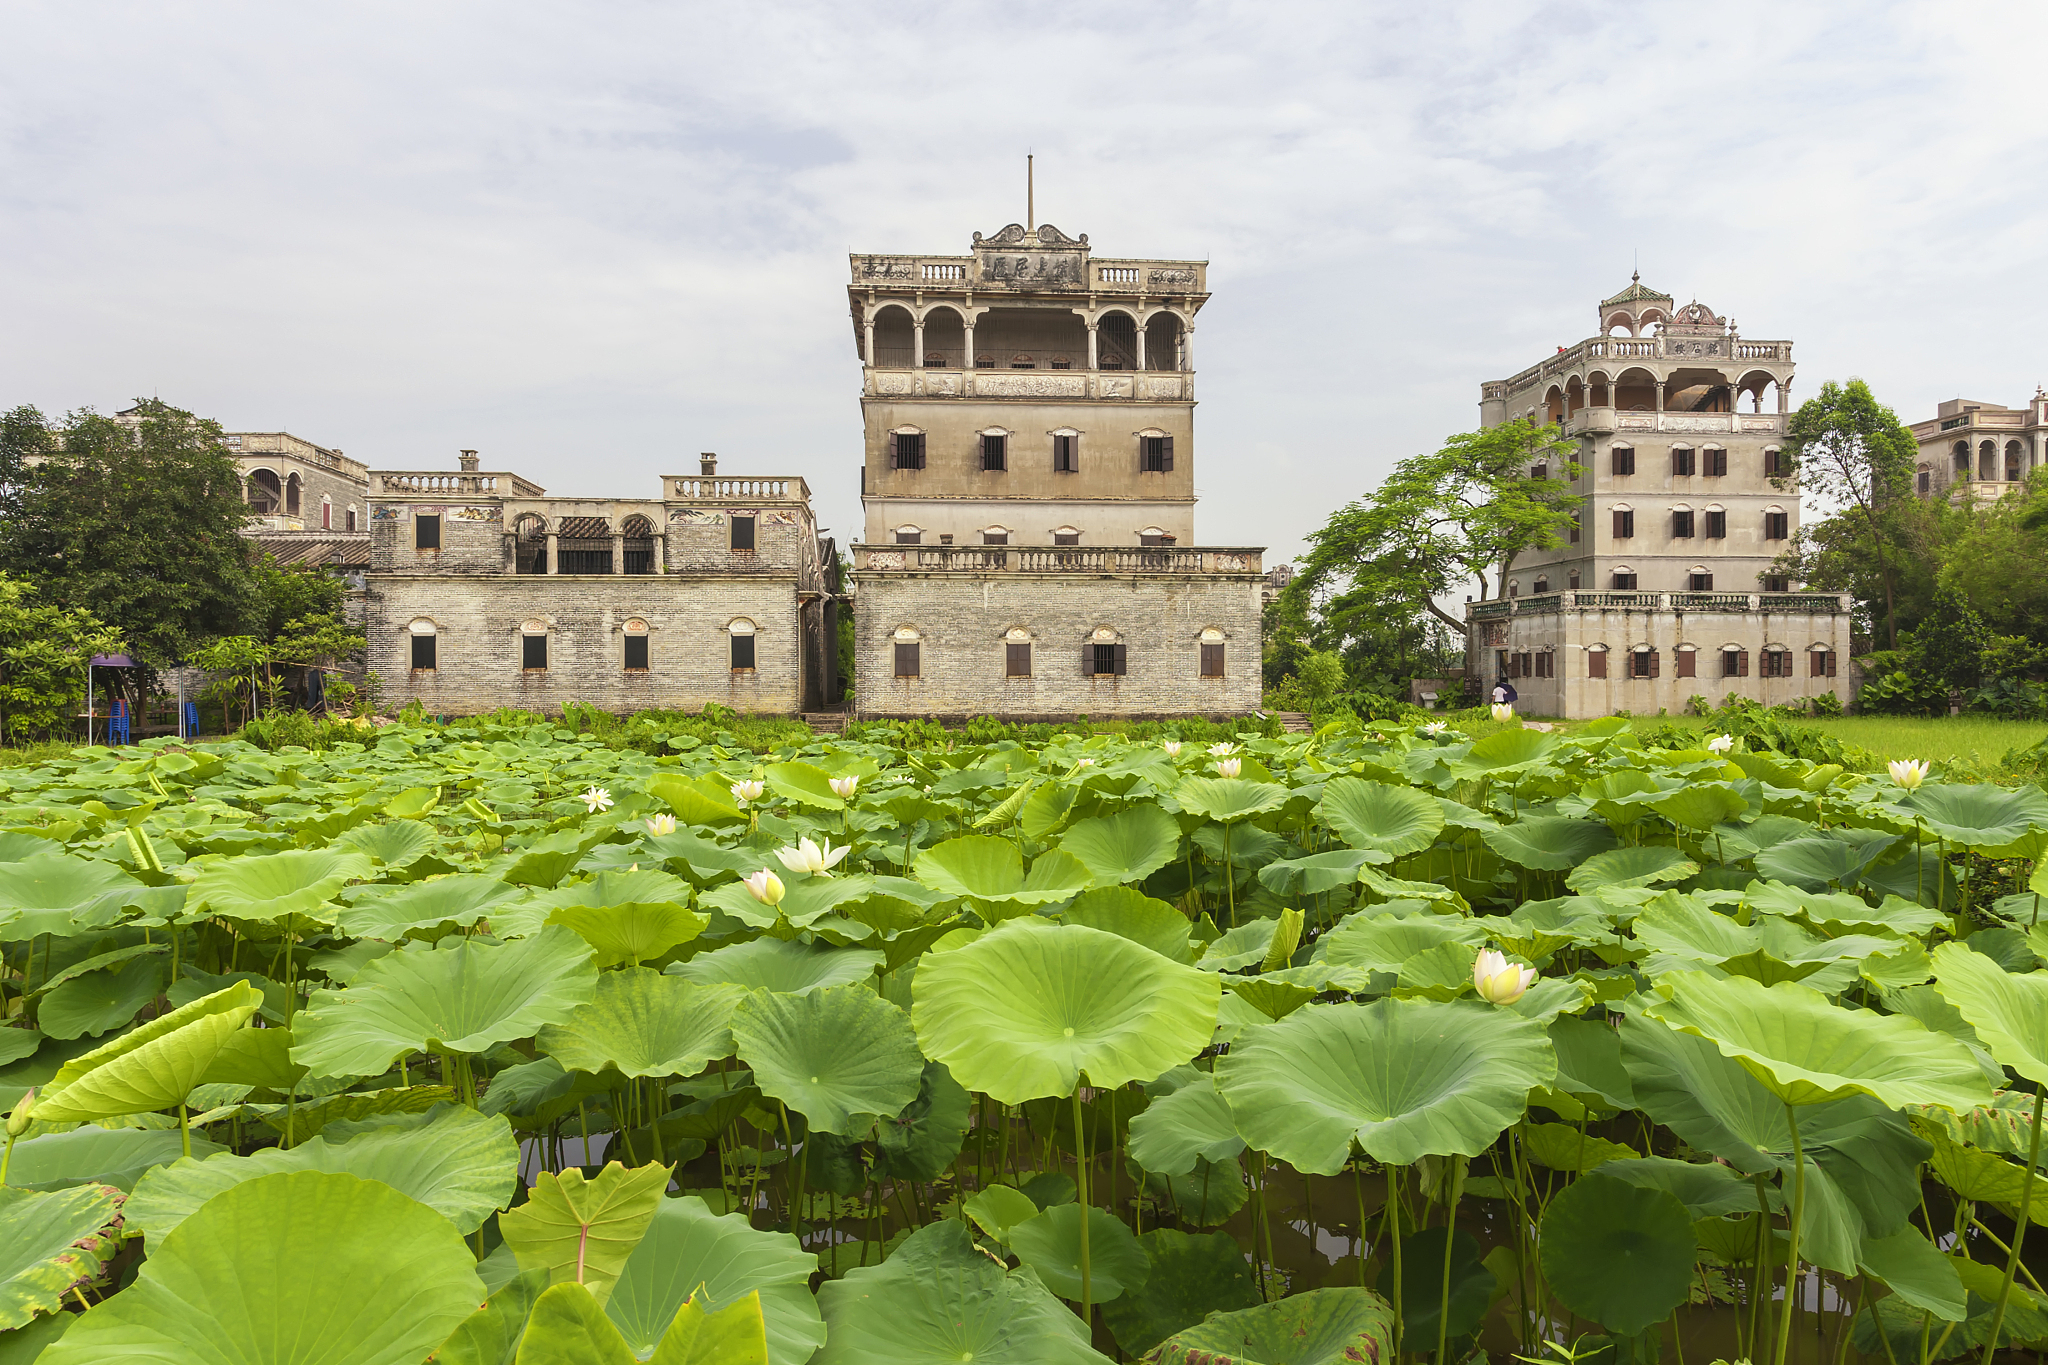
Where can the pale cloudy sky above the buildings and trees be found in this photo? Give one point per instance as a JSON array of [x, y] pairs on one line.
[[597, 238]]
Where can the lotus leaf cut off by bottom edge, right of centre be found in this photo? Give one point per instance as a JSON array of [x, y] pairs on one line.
[[1322, 1327]]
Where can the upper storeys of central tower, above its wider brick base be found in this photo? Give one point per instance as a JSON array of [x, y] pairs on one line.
[[1027, 394]]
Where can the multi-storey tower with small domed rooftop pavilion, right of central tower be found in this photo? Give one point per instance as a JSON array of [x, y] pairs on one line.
[[1664, 588]]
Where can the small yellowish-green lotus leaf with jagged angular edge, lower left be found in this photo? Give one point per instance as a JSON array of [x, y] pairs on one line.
[[585, 1229]]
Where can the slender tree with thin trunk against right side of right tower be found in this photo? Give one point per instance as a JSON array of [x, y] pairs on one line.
[[1848, 449]]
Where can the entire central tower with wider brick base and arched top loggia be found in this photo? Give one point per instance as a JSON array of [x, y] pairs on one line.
[[1029, 490]]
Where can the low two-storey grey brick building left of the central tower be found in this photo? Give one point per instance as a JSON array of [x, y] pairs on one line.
[[484, 592]]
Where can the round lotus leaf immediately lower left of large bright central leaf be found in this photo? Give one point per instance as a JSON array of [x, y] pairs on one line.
[[839, 1057]]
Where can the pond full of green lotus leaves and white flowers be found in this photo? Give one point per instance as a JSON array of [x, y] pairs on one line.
[[488, 1045]]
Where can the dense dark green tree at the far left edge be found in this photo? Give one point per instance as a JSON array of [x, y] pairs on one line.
[[132, 519]]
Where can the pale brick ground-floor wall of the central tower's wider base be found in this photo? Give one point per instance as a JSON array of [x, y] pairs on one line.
[[964, 621]]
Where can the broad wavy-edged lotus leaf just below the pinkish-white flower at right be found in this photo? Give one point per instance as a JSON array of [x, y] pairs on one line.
[[1402, 1080]]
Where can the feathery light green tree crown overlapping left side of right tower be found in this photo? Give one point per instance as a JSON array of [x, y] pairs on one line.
[[1461, 515]]
